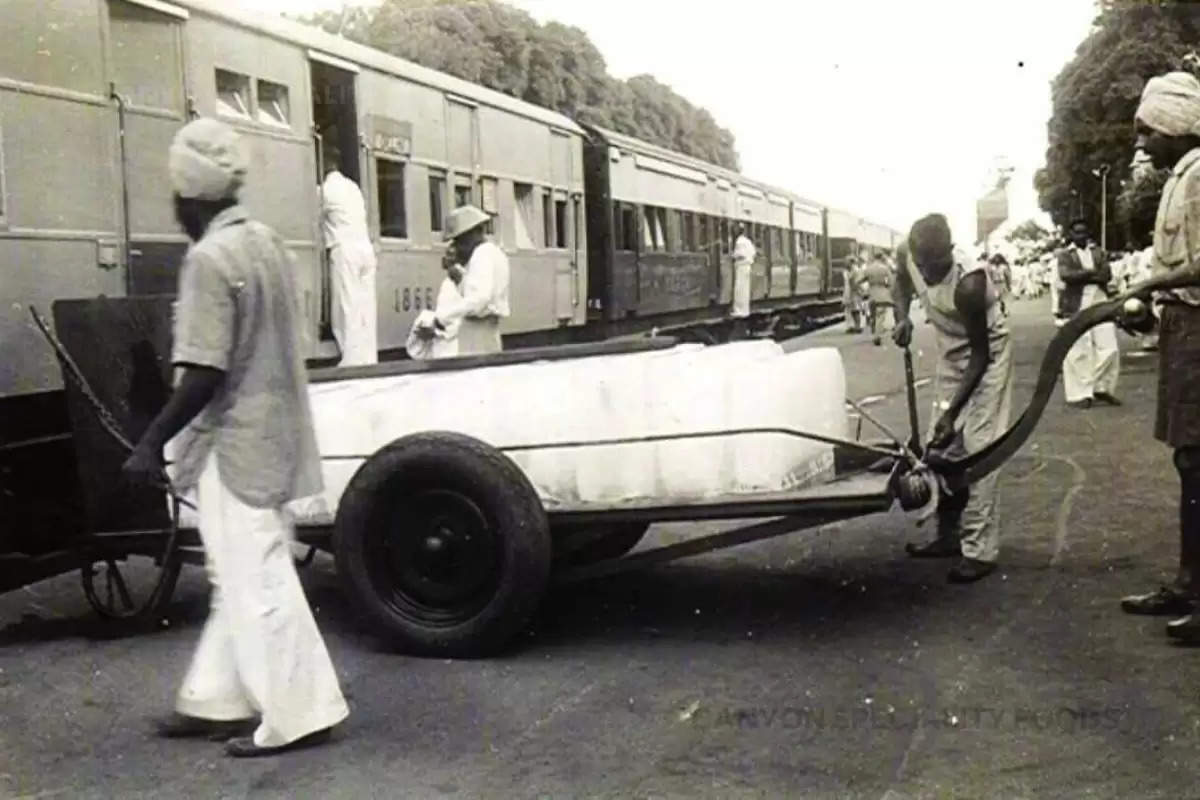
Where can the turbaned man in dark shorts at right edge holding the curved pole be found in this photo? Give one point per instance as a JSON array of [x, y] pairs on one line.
[[1168, 123]]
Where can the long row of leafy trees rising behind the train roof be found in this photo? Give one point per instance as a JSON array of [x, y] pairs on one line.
[[555, 67]]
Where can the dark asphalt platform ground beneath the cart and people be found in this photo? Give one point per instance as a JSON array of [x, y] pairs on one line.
[[819, 665]]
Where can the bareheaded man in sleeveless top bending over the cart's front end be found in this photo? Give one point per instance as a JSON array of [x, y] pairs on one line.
[[974, 388]]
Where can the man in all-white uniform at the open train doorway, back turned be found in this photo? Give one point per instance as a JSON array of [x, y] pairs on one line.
[[352, 267]]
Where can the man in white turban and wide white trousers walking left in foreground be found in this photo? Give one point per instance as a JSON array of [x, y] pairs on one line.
[[245, 443]]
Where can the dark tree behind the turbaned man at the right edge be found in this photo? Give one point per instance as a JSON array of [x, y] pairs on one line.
[[1095, 99]]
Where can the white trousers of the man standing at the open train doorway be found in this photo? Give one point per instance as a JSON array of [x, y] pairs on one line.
[[352, 267]]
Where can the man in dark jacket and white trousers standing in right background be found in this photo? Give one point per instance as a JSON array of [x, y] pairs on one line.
[[1093, 365]]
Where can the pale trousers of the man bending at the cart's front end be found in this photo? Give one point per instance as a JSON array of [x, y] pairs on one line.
[[983, 419]]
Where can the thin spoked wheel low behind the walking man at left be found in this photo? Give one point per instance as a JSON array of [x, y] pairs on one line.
[[130, 587]]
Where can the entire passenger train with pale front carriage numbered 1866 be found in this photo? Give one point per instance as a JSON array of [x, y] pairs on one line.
[[607, 236]]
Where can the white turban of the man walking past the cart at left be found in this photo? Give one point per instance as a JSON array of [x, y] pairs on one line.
[[207, 161]]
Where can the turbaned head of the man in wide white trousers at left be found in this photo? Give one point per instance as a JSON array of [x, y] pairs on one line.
[[207, 167]]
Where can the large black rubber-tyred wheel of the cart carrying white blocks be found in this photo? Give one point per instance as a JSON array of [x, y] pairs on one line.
[[443, 544]]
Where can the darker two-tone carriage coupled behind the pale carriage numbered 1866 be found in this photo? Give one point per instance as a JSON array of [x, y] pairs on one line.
[[662, 237]]
